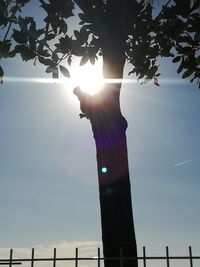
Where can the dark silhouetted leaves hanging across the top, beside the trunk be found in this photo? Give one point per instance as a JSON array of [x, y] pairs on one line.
[[174, 32]]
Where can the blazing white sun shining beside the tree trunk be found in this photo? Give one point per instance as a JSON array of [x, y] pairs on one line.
[[89, 77]]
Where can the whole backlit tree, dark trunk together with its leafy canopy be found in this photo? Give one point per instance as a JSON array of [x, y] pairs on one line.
[[119, 32]]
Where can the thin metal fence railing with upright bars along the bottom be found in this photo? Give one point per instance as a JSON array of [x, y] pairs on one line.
[[12, 261]]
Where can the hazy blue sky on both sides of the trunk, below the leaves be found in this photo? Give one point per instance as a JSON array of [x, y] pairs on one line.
[[48, 177]]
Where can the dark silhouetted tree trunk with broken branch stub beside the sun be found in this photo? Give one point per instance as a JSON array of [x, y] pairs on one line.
[[109, 129]]
